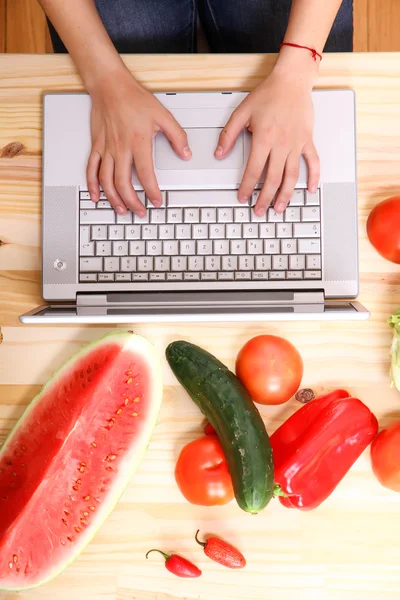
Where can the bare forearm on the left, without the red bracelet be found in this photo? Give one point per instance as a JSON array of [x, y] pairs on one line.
[[83, 33]]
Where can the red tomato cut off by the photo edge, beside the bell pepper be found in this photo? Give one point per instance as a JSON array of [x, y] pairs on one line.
[[385, 457]]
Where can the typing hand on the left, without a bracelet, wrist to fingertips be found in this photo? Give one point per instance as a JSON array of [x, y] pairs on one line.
[[125, 118]]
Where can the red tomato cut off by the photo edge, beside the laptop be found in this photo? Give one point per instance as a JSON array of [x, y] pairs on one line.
[[383, 228]]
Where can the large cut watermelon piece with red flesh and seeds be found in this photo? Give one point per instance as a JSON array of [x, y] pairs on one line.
[[71, 455]]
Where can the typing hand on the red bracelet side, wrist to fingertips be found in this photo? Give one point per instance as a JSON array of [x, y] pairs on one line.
[[280, 115]]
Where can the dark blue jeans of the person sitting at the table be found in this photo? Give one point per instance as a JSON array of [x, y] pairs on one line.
[[169, 26]]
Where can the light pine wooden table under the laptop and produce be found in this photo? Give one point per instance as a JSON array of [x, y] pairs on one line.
[[348, 548]]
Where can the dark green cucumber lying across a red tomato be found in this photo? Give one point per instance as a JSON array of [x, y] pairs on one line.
[[224, 401]]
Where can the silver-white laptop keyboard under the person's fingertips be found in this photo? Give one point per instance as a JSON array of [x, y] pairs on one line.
[[200, 235]]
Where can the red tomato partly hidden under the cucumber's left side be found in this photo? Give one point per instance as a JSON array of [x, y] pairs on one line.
[[202, 472]]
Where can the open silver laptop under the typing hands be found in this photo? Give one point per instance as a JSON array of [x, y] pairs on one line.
[[202, 256]]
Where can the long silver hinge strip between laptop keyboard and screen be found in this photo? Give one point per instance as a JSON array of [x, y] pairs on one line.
[[196, 298]]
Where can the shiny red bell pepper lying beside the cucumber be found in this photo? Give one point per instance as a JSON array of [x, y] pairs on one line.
[[315, 448]]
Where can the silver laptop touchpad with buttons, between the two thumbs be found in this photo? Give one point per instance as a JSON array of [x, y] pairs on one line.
[[203, 143]]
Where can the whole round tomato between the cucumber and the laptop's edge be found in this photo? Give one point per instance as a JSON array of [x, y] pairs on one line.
[[270, 368]]
